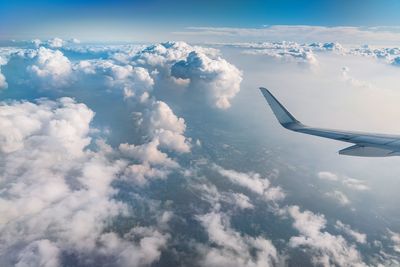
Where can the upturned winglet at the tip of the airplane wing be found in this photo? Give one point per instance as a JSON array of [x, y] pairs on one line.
[[284, 117]]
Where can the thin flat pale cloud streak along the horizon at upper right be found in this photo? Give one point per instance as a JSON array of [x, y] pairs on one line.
[[298, 33]]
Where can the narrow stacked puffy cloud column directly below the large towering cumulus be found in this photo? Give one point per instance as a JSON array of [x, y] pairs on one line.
[[166, 131]]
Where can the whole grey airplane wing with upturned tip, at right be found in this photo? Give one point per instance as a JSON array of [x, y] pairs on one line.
[[364, 144]]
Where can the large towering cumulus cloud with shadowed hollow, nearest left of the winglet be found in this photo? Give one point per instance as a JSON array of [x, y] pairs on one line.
[[207, 73]]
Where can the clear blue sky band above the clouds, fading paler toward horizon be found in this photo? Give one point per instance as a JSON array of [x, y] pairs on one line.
[[44, 18]]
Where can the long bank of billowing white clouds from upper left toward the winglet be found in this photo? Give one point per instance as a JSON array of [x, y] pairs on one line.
[[201, 71]]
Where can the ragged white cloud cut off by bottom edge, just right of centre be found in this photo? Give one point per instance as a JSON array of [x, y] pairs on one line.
[[230, 248]]
